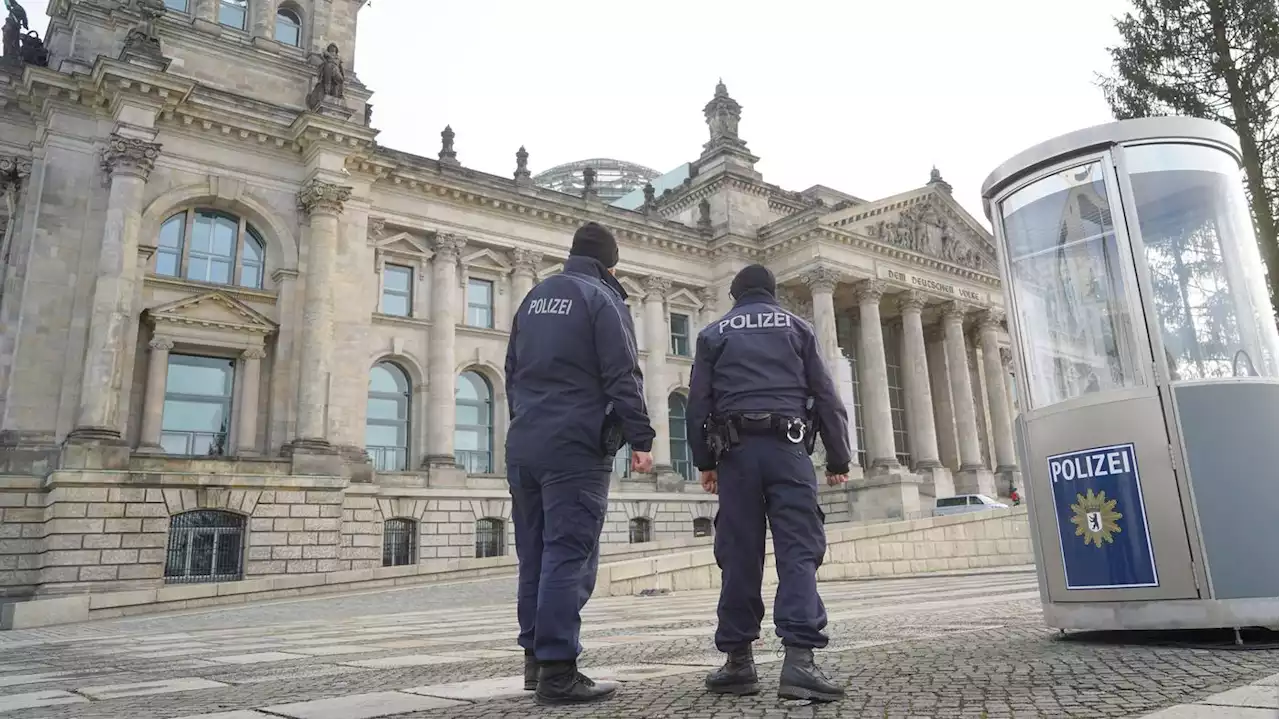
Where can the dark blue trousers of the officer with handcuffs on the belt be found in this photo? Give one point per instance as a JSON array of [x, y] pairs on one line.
[[767, 477]]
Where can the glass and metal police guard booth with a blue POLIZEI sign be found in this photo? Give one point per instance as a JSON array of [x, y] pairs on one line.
[[1146, 358]]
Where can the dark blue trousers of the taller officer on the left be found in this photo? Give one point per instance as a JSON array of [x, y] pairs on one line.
[[559, 519]]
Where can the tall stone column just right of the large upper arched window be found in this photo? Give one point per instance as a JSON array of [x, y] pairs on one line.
[[323, 204]]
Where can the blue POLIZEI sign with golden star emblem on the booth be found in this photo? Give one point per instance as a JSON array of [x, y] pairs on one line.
[[1101, 519]]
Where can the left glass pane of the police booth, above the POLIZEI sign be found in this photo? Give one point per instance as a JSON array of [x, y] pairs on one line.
[[1068, 287]]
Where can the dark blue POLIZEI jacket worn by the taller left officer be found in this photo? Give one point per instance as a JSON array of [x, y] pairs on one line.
[[573, 352]]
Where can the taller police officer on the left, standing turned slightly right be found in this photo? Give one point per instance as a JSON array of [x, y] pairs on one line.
[[575, 393]]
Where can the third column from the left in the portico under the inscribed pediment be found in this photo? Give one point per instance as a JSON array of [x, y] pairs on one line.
[[920, 399]]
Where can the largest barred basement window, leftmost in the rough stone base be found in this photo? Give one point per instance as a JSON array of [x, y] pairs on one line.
[[205, 546]]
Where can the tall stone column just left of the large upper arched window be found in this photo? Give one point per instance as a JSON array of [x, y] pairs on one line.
[[129, 162]]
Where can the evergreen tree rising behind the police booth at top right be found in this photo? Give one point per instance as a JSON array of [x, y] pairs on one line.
[[1219, 61]]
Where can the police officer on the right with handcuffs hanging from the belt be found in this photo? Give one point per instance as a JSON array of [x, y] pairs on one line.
[[758, 390]]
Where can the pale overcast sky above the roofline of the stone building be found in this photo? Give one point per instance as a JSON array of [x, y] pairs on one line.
[[861, 97]]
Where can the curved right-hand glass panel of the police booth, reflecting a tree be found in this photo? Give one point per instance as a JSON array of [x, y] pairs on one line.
[[1209, 291]]
